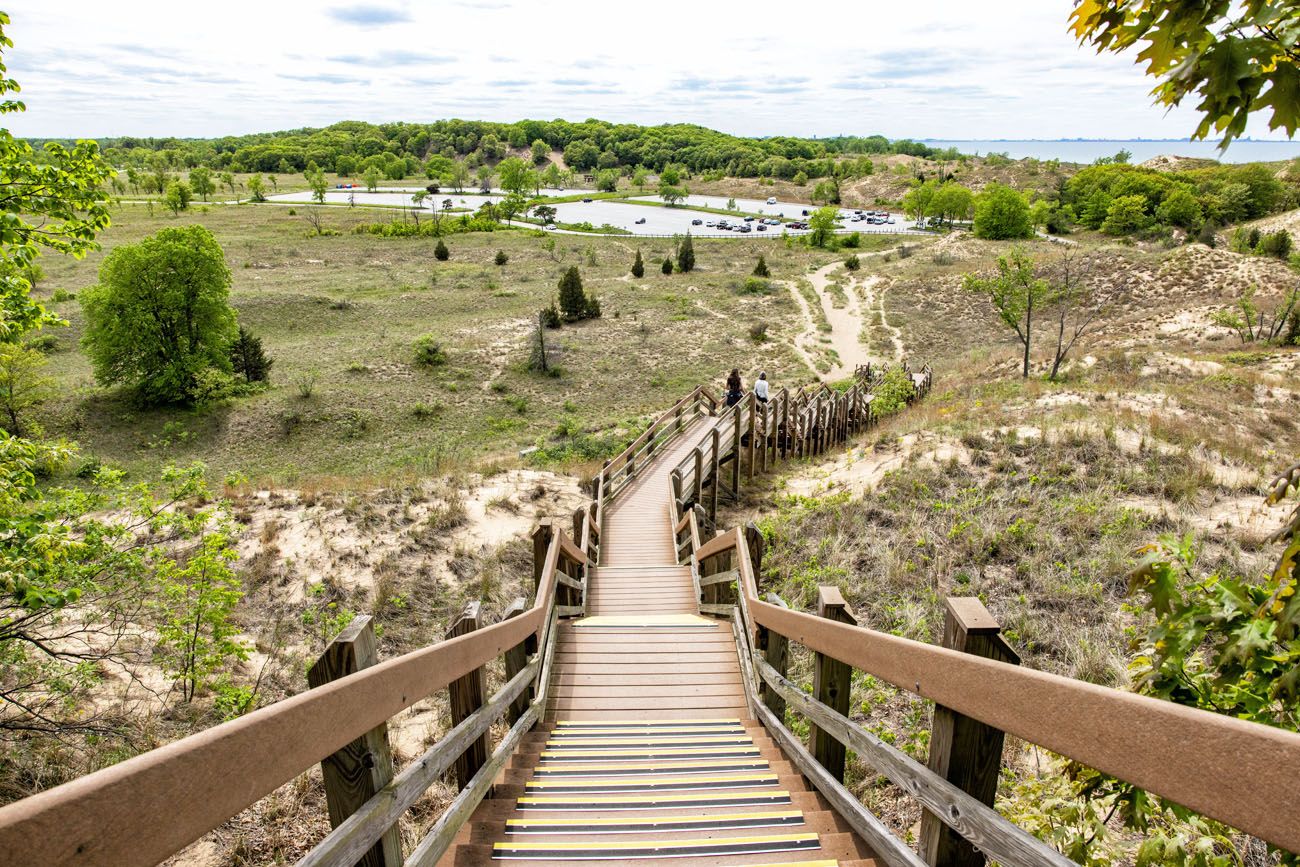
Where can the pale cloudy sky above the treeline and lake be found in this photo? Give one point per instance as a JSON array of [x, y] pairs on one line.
[[943, 70]]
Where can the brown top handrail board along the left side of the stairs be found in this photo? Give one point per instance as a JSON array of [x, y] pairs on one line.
[[98, 818]]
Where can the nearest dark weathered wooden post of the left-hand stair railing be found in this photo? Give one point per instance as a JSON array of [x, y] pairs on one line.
[[363, 768]]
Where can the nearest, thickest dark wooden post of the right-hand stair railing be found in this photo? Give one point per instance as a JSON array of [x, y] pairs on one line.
[[965, 752]]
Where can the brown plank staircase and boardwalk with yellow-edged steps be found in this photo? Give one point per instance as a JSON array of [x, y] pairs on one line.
[[648, 751]]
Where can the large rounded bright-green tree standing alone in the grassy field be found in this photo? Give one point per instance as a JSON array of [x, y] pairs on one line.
[[161, 315]]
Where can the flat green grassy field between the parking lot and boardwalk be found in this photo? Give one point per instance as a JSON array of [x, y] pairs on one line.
[[340, 315]]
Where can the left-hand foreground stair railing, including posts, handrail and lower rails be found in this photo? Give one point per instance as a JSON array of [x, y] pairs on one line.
[[146, 809]]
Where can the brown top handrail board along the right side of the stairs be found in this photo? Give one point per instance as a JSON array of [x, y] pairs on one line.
[[1243, 773]]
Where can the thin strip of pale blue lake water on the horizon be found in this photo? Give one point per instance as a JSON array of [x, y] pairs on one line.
[[1087, 151]]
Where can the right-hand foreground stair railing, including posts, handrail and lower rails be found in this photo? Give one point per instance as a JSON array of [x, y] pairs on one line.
[[1230, 770]]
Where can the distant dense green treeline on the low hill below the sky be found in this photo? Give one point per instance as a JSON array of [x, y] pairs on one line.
[[349, 148]]
